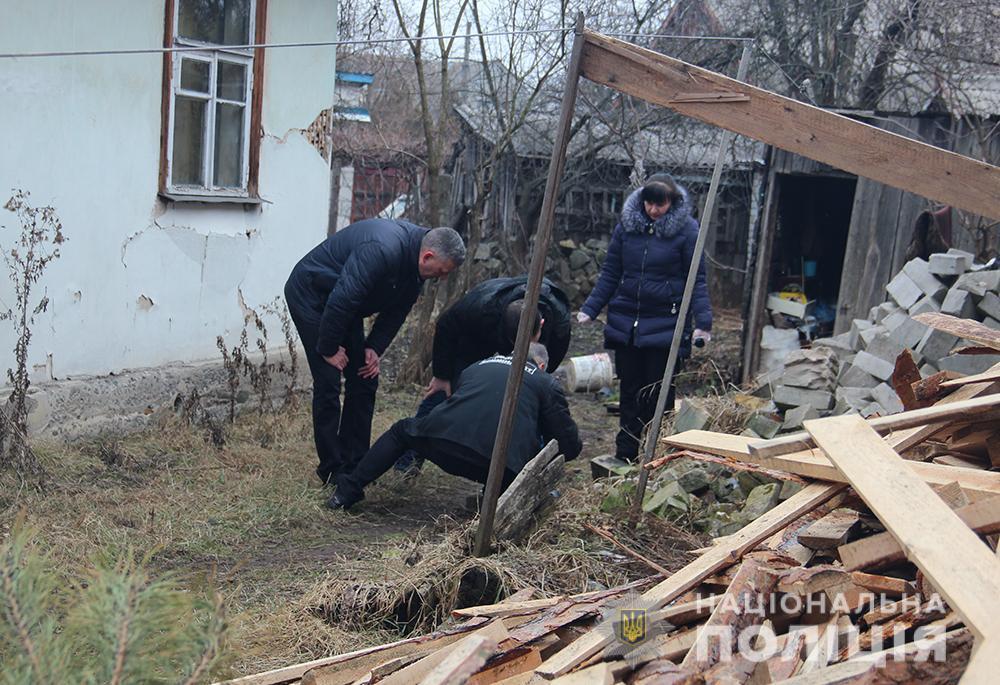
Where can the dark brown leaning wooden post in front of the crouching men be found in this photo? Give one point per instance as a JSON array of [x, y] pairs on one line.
[[536, 272]]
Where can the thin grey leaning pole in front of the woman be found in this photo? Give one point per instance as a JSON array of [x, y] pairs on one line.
[[653, 433]]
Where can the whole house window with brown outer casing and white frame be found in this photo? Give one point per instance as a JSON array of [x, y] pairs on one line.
[[209, 142]]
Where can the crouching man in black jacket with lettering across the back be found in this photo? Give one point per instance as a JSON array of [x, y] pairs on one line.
[[458, 434]]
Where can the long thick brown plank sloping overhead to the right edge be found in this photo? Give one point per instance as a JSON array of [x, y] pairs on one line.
[[791, 125]]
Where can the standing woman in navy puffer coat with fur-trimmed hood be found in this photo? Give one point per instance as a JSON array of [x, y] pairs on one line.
[[642, 283]]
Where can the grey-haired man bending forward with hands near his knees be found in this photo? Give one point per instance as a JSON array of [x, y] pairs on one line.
[[372, 266]]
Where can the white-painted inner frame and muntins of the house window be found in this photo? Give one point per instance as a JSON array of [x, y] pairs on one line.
[[212, 57]]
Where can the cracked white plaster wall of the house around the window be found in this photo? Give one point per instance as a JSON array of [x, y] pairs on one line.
[[142, 282]]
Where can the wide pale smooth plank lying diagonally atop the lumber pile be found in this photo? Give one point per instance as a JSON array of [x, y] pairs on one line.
[[964, 571]]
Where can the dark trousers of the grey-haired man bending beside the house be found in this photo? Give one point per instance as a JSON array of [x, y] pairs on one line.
[[342, 438]]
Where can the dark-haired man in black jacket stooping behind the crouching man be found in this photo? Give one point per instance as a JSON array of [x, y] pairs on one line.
[[484, 323]]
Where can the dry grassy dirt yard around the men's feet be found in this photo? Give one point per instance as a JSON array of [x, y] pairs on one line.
[[301, 581]]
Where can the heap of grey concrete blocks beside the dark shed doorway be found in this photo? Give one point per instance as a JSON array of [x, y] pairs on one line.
[[852, 372]]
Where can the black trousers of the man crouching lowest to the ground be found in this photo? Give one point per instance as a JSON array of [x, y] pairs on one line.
[[453, 458]]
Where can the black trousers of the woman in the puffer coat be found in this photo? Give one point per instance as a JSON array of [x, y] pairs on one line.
[[640, 374]]
